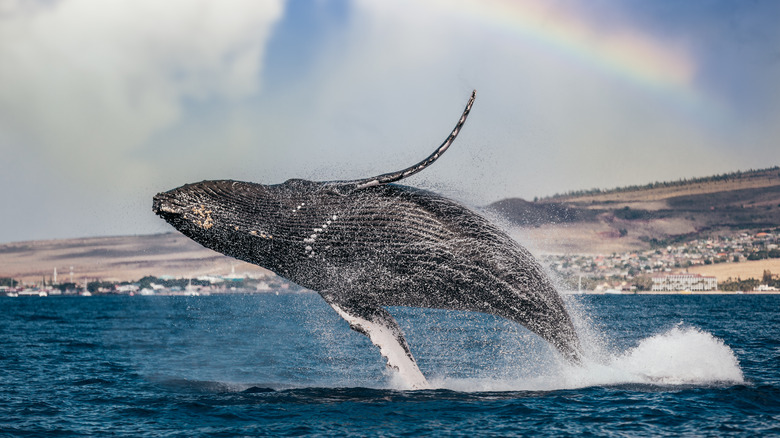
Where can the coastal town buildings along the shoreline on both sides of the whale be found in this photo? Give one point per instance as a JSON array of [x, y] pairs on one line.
[[661, 269]]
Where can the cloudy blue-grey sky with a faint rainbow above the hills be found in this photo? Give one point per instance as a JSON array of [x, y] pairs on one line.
[[104, 103]]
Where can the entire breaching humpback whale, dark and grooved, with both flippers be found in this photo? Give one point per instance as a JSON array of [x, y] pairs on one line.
[[368, 244]]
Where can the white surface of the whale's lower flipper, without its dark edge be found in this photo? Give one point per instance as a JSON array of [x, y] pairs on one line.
[[386, 339]]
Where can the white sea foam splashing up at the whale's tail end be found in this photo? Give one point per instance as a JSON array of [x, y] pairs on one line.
[[680, 356]]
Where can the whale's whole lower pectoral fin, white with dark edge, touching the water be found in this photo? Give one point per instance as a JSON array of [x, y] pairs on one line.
[[384, 332]]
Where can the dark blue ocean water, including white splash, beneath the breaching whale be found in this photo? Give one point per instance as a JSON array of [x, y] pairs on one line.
[[287, 365]]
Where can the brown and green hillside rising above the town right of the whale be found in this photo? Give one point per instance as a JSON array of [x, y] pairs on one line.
[[633, 218]]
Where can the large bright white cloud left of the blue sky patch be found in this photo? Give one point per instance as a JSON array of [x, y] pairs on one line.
[[85, 83]]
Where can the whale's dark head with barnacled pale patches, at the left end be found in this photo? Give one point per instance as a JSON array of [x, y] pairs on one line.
[[226, 216]]
